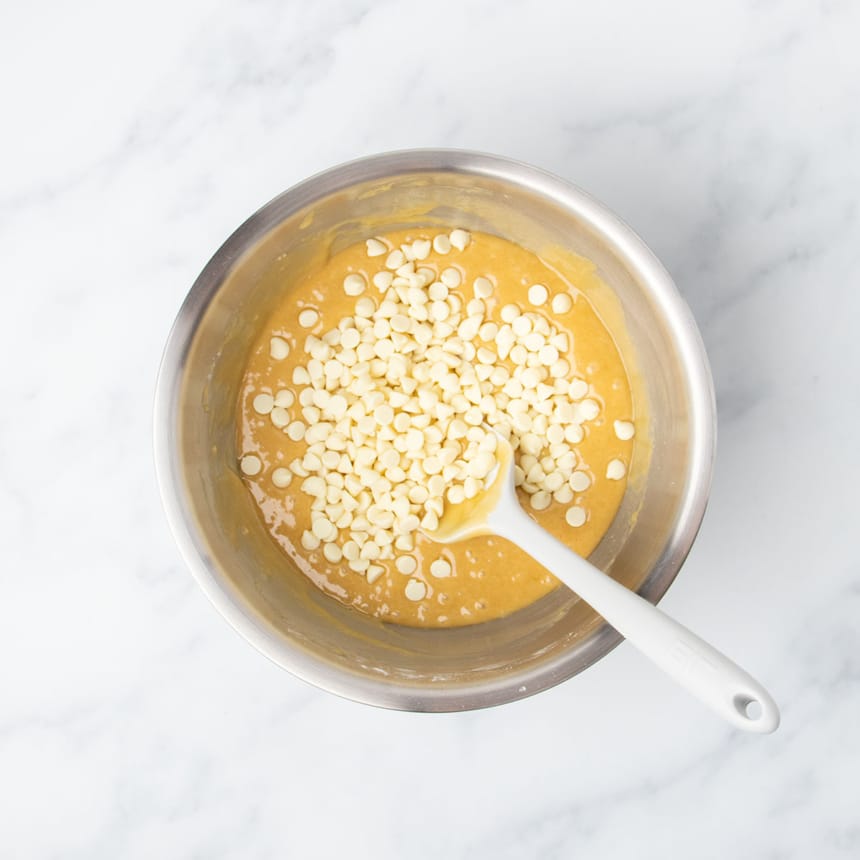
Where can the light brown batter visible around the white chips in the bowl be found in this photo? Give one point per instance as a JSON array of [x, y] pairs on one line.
[[489, 577]]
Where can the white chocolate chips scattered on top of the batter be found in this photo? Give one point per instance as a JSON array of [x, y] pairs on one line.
[[394, 403]]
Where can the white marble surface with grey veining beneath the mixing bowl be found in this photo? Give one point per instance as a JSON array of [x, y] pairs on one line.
[[133, 722]]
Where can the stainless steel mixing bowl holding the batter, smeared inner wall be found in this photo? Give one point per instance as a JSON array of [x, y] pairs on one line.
[[215, 522]]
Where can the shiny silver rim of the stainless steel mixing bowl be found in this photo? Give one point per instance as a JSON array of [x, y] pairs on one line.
[[219, 589]]
